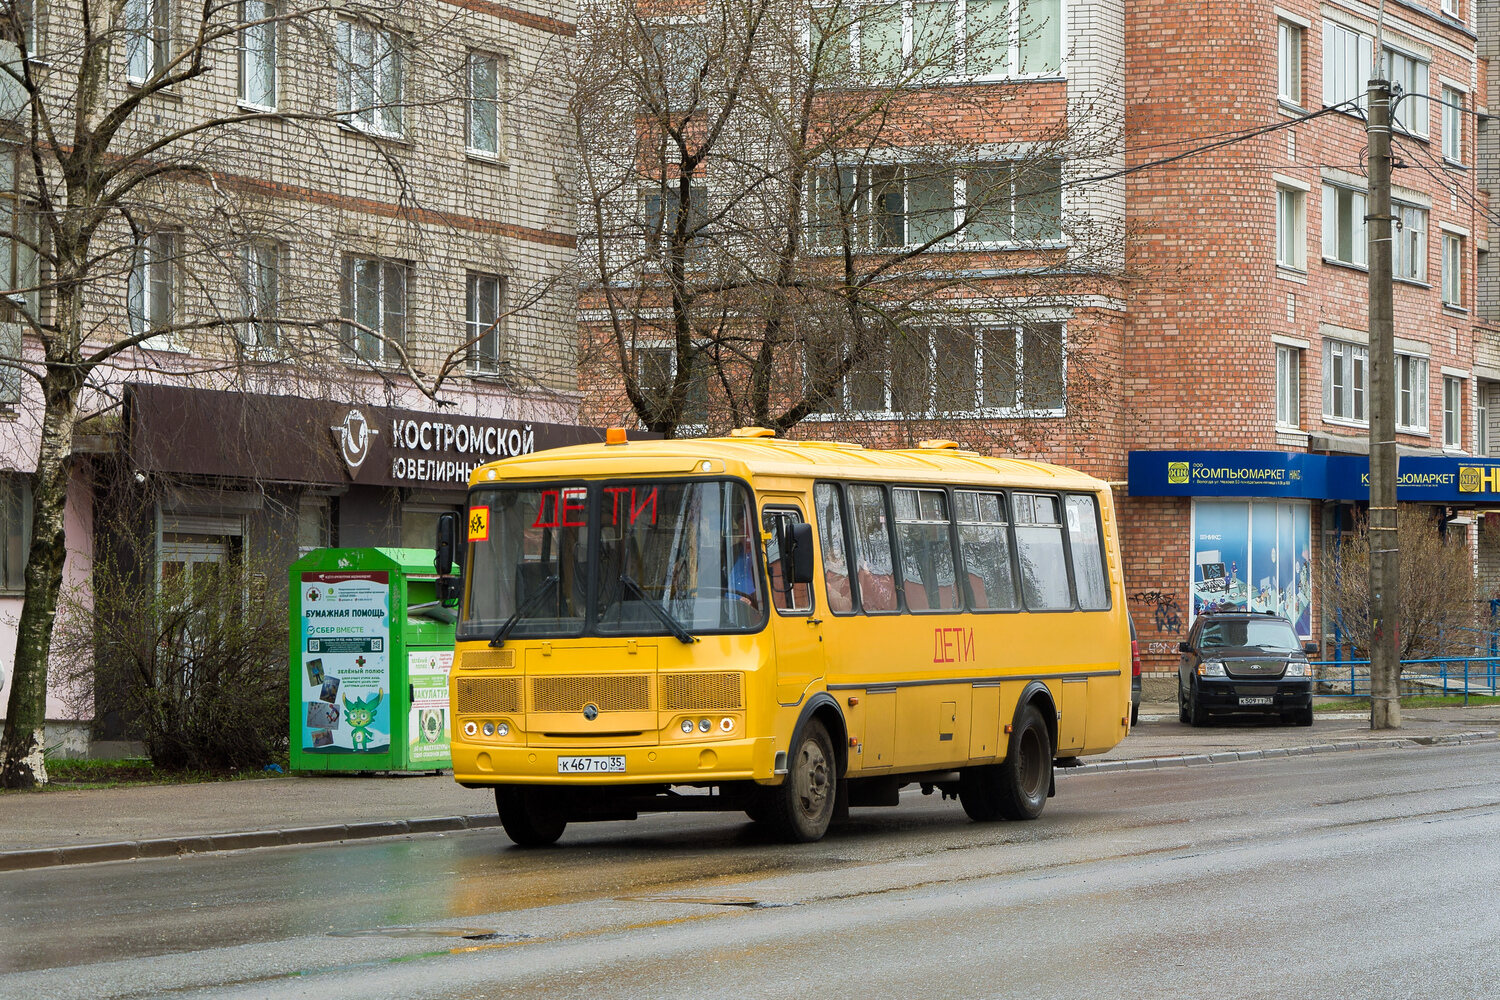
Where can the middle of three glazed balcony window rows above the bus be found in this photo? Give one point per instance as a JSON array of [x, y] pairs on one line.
[[920, 203]]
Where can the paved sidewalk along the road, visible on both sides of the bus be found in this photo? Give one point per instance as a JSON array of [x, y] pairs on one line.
[[59, 828]]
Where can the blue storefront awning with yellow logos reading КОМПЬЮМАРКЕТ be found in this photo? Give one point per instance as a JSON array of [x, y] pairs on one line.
[[1301, 476]]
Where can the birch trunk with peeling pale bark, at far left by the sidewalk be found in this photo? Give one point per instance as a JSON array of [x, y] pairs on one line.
[[22, 749]]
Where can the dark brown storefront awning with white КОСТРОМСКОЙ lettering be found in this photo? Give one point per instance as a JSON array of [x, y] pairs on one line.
[[293, 440]]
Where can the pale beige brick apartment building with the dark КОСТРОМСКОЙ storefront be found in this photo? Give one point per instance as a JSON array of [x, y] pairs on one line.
[[401, 166]]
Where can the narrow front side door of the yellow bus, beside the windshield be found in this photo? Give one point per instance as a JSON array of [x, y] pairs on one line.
[[796, 627]]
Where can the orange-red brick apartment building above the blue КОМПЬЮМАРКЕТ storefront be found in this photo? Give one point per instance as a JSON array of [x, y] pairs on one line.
[[1223, 388]]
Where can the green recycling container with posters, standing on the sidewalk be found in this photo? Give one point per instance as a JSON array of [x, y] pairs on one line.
[[371, 651]]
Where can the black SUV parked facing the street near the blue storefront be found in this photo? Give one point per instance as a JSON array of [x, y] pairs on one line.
[[1244, 663]]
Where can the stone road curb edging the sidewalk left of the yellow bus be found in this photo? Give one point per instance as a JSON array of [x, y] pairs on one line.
[[244, 840]]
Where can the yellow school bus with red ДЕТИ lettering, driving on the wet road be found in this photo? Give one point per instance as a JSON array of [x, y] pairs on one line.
[[785, 629]]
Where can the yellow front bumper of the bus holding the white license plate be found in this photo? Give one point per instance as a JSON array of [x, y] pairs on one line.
[[688, 764]]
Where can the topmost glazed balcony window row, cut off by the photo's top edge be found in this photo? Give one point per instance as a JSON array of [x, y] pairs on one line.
[[986, 40]]
